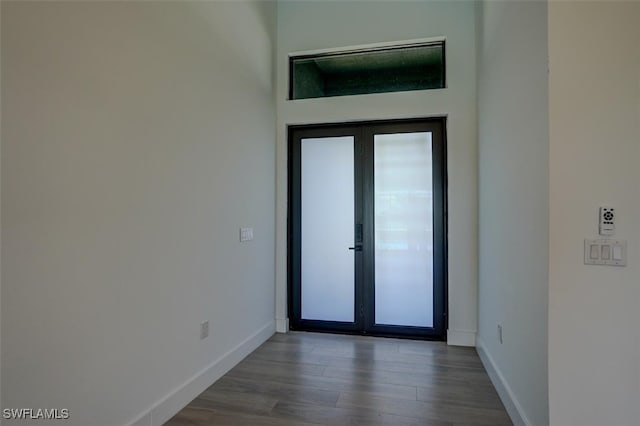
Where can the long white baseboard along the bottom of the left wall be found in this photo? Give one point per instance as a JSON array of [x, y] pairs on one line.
[[168, 406]]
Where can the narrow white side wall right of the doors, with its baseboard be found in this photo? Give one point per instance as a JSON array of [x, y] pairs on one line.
[[513, 143]]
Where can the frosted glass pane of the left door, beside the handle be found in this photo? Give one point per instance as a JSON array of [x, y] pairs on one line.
[[327, 229]]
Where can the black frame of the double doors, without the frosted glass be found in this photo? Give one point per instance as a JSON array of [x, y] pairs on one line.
[[364, 302]]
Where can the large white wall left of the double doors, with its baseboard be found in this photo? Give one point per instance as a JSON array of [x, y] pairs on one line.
[[138, 137]]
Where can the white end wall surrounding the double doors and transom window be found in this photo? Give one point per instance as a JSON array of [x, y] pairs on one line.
[[314, 25]]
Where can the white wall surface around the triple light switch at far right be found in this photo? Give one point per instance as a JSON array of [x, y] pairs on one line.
[[594, 342]]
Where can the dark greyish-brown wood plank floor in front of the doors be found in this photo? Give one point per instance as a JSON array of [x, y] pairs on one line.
[[325, 379]]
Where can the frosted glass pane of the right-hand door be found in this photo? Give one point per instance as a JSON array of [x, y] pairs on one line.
[[403, 229]]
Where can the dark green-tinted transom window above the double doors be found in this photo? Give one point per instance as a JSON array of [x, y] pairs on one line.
[[381, 70]]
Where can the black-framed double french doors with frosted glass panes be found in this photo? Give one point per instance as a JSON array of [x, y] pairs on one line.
[[367, 228]]
